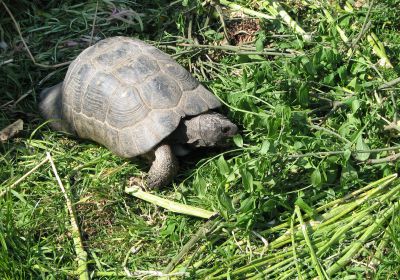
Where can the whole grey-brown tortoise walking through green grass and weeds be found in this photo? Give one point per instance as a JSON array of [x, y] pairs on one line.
[[136, 100]]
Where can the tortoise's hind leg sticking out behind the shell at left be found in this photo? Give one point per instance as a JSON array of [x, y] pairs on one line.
[[50, 108]]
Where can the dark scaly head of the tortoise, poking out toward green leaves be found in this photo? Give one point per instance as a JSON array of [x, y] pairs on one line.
[[209, 129]]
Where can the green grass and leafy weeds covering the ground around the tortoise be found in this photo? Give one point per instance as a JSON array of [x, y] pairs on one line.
[[308, 189]]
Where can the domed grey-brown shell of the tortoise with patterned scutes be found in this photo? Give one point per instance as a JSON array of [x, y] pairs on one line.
[[128, 95]]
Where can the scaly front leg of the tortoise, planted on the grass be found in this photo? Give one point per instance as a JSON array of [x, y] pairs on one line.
[[164, 167]]
